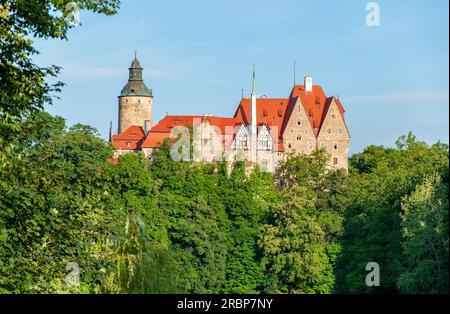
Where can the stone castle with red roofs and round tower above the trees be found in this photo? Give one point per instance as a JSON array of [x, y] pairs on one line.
[[262, 130]]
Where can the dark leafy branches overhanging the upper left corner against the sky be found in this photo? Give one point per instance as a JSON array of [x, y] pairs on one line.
[[24, 87]]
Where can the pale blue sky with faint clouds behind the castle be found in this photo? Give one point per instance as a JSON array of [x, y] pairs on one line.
[[198, 54]]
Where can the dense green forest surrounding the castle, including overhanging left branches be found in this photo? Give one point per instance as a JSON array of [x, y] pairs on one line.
[[160, 226]]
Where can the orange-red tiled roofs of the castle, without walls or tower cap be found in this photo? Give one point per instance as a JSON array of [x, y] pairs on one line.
[[273, 112]]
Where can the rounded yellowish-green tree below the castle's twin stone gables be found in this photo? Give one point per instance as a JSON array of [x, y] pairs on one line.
[[293, 244]]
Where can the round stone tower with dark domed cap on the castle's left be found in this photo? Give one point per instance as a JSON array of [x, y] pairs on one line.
[[135, 100]]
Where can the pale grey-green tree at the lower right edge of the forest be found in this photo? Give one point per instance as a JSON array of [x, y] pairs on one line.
[[424, 223]]
